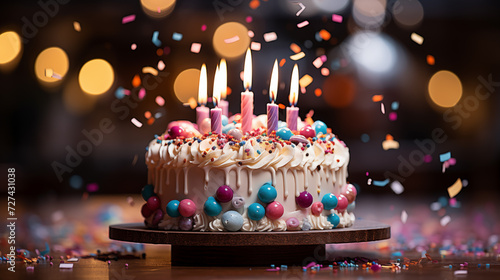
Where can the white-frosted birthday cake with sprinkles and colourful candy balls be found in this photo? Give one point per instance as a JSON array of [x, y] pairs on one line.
[[234, 181]]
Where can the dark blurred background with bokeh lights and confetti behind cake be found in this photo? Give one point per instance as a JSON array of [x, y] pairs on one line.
[[87, 84]]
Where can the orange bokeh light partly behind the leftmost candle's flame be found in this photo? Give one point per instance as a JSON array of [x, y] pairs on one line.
[[186, 85]]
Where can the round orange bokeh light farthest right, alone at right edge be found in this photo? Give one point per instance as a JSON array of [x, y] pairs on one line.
[[445, 89]]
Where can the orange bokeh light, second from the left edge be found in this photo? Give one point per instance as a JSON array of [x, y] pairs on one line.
[[53, 60]]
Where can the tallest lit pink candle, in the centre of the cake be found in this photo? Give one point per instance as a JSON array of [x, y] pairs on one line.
[[247, 95]]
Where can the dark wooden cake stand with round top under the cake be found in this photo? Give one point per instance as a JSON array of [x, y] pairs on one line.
[[250, 248]]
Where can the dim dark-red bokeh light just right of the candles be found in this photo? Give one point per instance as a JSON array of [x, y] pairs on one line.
[[339, 90]]
